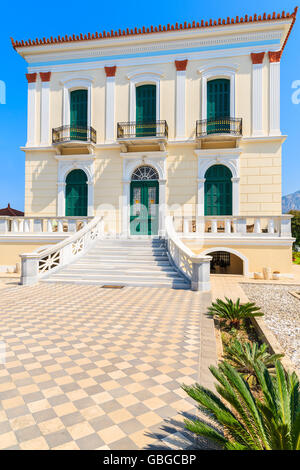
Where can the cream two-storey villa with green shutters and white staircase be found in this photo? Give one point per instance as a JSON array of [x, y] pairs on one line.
[[161, 140]]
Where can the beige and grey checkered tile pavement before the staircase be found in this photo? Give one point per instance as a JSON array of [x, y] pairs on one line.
[[94, 368]]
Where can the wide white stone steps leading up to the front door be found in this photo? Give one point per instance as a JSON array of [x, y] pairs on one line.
[[129, 262]]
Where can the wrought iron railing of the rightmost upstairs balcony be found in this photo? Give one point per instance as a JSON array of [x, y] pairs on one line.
[[227, 125]]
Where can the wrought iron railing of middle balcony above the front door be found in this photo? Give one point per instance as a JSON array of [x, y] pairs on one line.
[[133, 130]]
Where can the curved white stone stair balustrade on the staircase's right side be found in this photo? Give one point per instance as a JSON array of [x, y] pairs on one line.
[[196, 268]]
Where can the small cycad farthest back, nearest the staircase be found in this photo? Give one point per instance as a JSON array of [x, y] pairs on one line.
[[233, 312]]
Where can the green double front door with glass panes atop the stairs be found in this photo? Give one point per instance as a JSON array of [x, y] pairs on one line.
[[144, 207]]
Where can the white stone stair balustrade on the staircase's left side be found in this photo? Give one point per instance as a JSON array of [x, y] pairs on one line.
[[43, 262]]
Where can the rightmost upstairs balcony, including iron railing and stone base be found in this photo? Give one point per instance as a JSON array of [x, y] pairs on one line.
[[219, 130]]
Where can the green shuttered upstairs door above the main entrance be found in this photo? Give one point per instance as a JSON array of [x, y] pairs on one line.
[[145, 110]]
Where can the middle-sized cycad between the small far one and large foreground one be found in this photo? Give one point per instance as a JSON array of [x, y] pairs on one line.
[[245, 357]]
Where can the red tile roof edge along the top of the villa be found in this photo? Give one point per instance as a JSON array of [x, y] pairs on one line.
[[156, 29]]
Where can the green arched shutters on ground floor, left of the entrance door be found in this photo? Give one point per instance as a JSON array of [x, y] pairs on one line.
[[76, 193]]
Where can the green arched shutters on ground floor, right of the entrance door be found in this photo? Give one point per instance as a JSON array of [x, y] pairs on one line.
[[218, 191]]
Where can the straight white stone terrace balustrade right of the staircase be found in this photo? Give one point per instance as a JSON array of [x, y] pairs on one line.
[[235, 225]]
